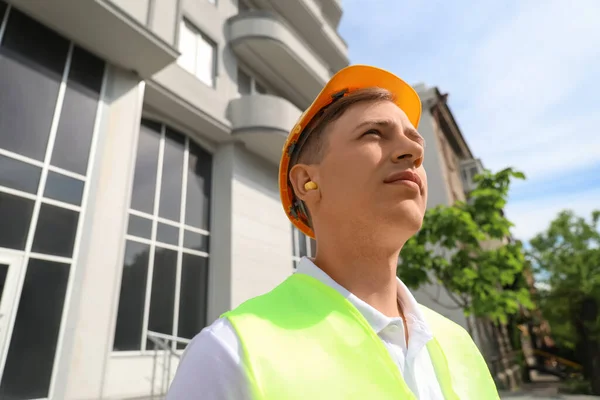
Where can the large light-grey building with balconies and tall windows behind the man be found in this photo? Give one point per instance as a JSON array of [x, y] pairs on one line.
[[139, 143]]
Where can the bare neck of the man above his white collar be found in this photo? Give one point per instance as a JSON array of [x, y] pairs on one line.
[[366, 271]]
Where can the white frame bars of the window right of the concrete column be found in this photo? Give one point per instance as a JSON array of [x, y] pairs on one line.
[[155, 219]]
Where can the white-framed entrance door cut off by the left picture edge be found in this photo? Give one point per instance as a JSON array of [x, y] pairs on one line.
[[10, 278]]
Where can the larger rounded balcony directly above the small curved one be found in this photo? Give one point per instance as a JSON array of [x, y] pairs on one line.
[[271, 48]]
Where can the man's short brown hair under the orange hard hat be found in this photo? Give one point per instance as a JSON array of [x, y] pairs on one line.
[[313, 148]]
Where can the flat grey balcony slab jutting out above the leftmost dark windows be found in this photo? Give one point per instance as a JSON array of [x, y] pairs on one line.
[[104, 29]]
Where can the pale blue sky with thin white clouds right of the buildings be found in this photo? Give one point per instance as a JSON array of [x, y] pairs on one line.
[[523, 78]]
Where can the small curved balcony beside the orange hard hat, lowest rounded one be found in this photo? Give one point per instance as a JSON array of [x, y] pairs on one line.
[[262, 122]]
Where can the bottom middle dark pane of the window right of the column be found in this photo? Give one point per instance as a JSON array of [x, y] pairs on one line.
[[162, 300]]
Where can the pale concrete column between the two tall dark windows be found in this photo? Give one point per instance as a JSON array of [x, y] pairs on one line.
[[93, 305]]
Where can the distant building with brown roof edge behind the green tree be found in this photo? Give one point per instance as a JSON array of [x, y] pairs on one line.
[[451, 167]]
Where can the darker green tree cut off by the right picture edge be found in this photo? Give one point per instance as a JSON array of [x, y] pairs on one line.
[[567, 261]]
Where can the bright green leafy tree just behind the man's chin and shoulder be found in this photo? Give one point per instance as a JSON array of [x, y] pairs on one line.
[[467, 249]]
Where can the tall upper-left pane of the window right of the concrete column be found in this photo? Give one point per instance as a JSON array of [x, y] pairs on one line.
[[144, 181]]
